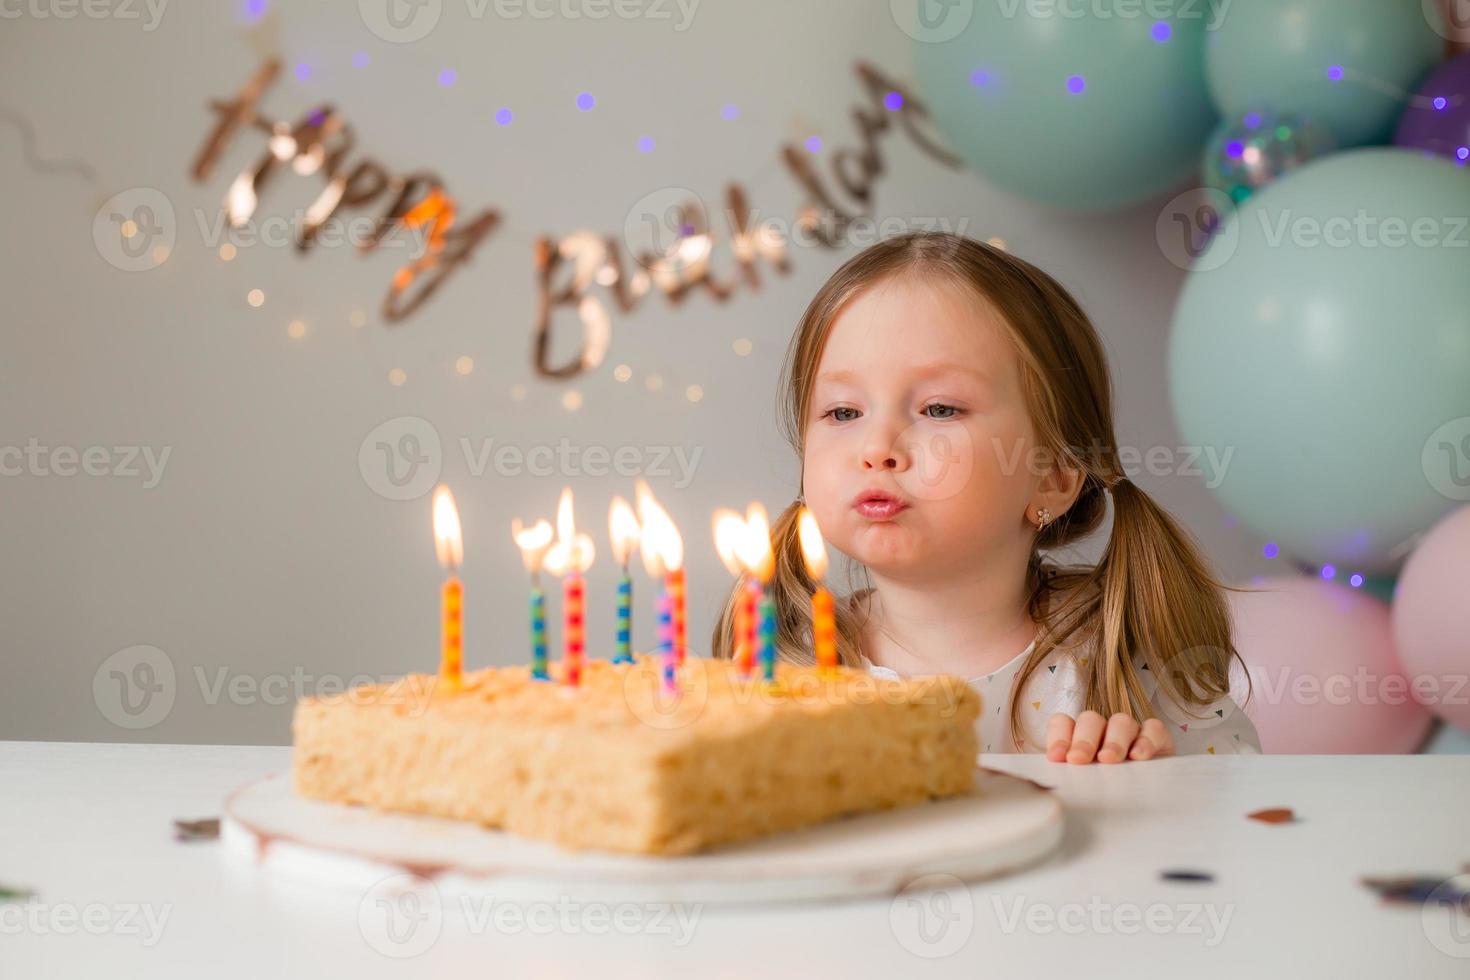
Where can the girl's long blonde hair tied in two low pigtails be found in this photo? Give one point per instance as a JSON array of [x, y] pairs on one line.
[[1150, 596]]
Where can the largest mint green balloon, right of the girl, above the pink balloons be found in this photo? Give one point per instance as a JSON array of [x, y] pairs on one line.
[[1324, 343]]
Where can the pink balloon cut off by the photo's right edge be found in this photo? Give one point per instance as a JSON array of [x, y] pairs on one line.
[[1431, 631]]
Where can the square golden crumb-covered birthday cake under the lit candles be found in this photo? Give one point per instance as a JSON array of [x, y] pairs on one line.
[[623, 763]]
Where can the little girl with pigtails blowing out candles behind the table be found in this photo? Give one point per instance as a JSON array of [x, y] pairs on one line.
[[952, 408]]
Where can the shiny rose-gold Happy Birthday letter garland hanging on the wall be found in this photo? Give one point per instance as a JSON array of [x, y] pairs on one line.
[[418, 202]]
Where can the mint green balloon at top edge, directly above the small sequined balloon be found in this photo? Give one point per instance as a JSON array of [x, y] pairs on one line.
[[1350, 65]]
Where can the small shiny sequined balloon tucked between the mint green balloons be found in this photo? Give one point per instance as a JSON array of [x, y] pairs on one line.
[[1246, 155]]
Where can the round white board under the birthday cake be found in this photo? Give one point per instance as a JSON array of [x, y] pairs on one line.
[[1008, 825]]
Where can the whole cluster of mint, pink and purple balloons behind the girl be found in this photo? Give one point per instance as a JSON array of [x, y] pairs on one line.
[[1324, 330]]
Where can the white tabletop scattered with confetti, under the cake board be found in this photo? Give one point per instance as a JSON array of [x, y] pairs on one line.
[[89, 826]]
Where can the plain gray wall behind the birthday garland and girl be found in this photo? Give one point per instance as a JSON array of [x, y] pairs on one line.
[[264, 563]]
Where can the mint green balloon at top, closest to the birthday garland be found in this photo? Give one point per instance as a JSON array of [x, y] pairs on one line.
[[1071, 109]]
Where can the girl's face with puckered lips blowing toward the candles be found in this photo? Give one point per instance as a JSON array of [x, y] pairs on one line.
[[918, 443]]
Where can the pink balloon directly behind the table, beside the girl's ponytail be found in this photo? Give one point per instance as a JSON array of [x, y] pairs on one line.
[[1324, 671]]
